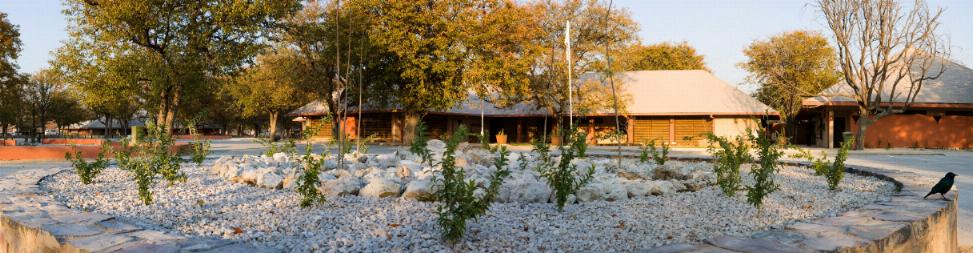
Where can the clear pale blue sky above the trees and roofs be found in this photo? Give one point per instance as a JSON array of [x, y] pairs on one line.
[[718, 29]]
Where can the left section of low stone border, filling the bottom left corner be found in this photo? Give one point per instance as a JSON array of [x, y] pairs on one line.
[[31, 221]]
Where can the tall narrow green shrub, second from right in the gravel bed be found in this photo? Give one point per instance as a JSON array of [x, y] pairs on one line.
[[768, 156]]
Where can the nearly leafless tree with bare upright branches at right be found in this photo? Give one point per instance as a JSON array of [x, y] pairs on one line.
[[885, 52]]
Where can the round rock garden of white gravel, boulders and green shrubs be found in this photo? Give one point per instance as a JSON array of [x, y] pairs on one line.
[[423, 198]]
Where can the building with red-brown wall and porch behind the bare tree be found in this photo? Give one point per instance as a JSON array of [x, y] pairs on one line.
[[941, 116]]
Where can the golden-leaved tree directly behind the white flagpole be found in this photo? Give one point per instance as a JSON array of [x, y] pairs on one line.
[[548, 75]]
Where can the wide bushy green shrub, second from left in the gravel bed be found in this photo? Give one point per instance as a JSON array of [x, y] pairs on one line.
[[152, 156]]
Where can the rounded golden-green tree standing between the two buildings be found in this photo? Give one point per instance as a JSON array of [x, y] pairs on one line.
[[789, 67]]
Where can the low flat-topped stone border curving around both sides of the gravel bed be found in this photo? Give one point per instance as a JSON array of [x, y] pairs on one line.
[[34, 222]]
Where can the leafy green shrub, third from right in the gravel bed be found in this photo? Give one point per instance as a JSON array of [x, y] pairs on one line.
[[728, 156]]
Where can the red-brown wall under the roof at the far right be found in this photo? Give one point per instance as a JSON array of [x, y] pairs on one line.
[[918, 130]]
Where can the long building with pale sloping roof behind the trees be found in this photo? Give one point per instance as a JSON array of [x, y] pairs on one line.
[[676, 107]]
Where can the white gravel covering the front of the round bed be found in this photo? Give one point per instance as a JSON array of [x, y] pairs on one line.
[[207, 205]]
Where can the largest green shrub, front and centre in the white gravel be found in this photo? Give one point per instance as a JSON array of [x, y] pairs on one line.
[[458, 200]]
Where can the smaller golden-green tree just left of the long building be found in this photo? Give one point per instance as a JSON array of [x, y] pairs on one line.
[[268, 88]]
